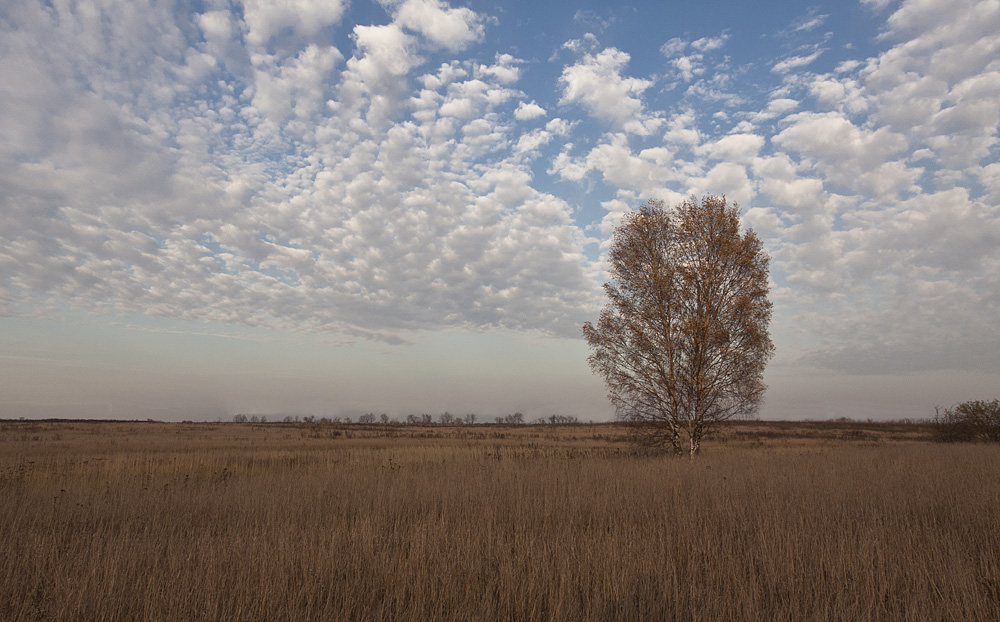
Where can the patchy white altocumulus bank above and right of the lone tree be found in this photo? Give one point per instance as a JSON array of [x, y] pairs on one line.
[[873, 183]]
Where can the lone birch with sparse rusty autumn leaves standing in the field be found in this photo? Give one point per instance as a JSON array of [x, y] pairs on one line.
[[683, 340]]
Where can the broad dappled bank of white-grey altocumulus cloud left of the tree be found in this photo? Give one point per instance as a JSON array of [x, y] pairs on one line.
[[234, 166]]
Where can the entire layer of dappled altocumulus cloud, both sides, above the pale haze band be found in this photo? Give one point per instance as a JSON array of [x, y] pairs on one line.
[[276, 165]]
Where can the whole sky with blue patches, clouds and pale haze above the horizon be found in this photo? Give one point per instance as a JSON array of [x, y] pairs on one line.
[[333, 207]]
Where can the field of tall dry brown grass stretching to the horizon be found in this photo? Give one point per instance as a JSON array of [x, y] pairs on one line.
[[775, 521]]
